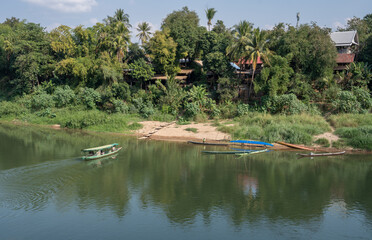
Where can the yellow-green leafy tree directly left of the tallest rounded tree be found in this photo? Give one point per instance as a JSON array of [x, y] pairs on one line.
[[162, 51]]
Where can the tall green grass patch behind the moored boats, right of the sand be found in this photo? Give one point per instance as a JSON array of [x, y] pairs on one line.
[[265, 127]]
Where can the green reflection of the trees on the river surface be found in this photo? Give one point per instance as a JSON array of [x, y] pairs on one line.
[[37, 170]]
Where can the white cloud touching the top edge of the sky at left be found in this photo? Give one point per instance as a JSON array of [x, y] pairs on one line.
[[72, 6]]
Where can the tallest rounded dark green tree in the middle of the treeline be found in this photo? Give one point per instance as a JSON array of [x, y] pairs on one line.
[[183, 26]]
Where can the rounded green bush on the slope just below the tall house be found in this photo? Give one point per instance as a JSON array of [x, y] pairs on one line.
[[346, 102]]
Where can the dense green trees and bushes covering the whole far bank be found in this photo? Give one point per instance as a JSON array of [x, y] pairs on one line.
[[98, 70]]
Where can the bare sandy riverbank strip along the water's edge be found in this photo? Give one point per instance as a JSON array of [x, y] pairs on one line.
[[210, 131]]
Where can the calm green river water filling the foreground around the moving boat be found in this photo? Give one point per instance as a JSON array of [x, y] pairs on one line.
[[166, 190]]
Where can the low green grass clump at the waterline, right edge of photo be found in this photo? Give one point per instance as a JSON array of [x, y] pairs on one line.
[[359, 137]]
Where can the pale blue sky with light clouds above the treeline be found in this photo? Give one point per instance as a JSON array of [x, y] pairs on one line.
[[262, 13]]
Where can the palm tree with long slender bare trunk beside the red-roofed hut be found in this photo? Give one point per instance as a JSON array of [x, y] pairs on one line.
[[255, 49]]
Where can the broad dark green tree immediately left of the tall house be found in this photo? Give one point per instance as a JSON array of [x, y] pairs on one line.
[[312, 50]]
